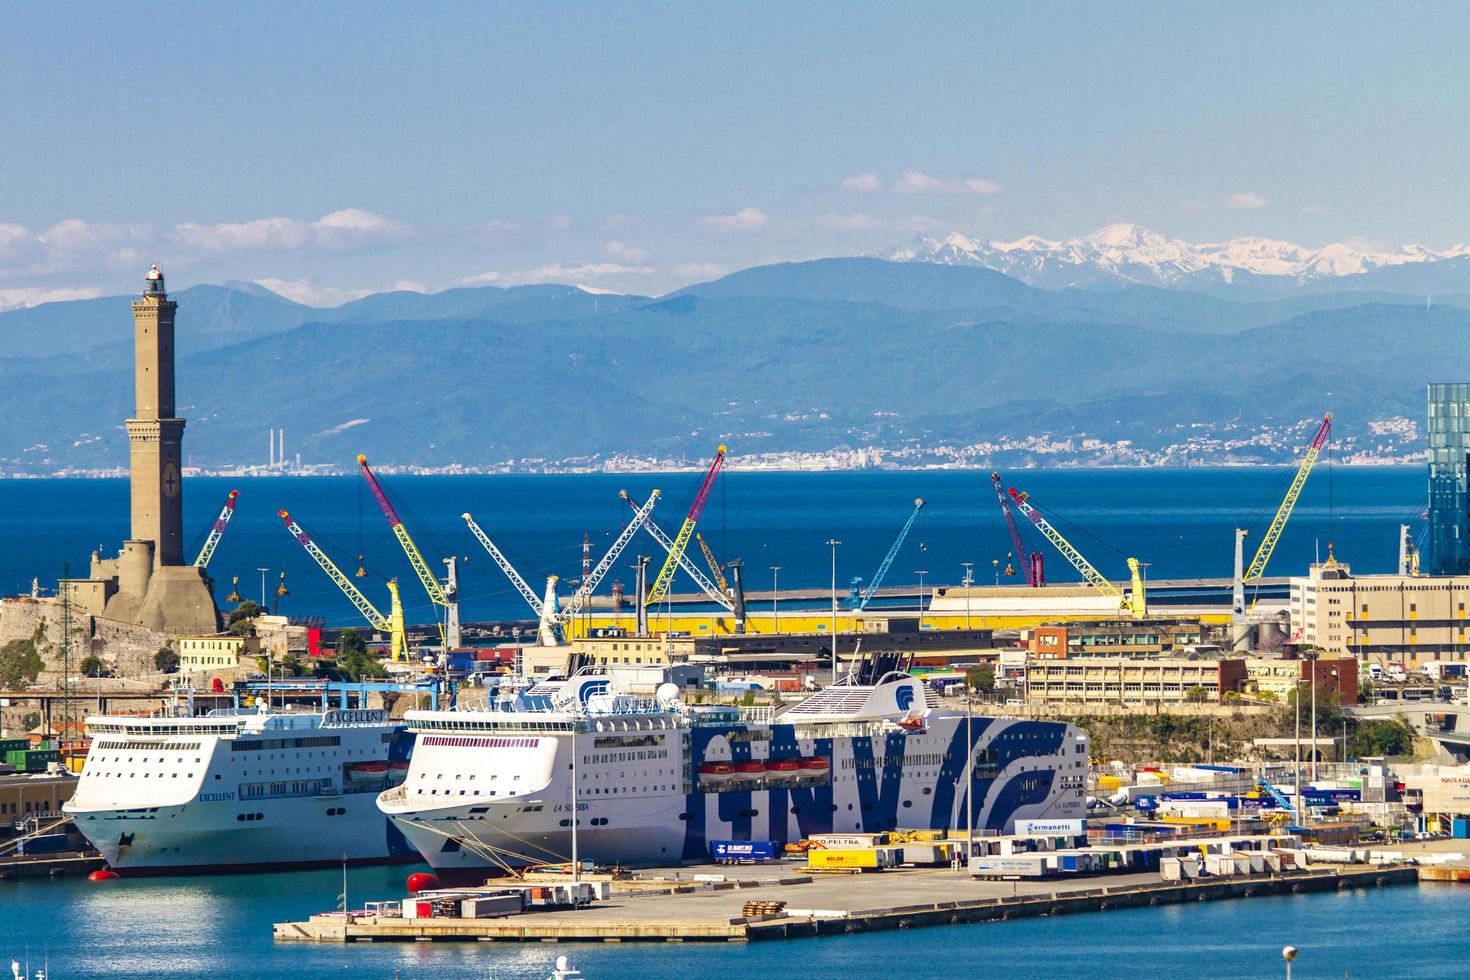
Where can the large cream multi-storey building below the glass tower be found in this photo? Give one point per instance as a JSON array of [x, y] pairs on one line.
[[1403, 619]]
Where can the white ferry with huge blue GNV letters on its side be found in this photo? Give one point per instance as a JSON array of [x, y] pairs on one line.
[[658, 781]]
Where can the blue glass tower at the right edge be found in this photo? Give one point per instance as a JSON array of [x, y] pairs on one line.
[[1449, 462]]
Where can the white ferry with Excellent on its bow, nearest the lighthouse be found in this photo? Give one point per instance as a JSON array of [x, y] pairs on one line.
[[242, 791]]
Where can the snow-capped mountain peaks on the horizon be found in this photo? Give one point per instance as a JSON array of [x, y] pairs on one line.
[[1133, 255]]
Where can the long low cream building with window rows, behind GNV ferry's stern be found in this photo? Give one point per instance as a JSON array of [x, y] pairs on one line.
[[1131, 681]]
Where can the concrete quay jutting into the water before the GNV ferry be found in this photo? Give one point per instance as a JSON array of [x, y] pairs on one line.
[[711, 907]]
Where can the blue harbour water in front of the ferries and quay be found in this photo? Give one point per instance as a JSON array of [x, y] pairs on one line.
[[221, 928]]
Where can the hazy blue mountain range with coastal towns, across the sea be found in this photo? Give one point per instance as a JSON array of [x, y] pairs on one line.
[[930, 362]]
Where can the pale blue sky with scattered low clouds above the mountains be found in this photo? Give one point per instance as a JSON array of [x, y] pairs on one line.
[[329, 151]]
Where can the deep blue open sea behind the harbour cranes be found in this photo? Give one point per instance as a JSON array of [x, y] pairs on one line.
[[1178, 521]]
